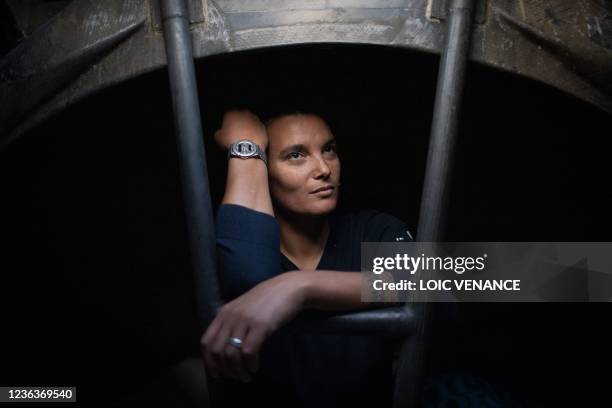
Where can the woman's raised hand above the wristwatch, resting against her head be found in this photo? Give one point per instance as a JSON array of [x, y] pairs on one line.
[[238, 125]]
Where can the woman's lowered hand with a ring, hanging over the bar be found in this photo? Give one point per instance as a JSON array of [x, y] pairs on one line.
[[251, 317]]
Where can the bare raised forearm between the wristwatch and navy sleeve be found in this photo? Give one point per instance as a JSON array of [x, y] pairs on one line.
[[247, 185]]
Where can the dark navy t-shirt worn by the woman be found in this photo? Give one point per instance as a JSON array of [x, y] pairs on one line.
[[310, 370]]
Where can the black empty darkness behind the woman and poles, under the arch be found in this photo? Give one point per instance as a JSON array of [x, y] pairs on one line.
[[96, 285]]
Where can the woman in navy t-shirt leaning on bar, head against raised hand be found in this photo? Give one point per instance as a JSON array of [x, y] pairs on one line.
[[282, 251]]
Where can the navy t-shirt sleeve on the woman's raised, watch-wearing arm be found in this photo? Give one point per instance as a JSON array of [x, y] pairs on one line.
[[248, 248]]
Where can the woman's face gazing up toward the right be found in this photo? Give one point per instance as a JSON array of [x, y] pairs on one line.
[[304, 168]]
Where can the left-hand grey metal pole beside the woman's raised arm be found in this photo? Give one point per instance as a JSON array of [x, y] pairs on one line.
[[194, 173]]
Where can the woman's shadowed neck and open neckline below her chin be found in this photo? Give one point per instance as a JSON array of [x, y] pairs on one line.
[[302, 237]]
